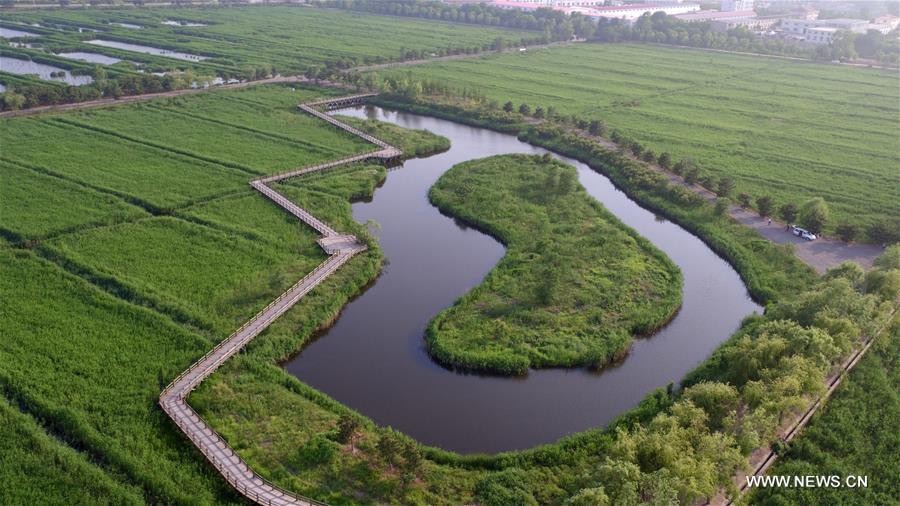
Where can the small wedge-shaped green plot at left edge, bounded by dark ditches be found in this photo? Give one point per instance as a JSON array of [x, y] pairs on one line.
[[34, 205]]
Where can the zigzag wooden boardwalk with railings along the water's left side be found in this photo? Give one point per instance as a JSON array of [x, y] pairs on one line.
[[340, 249]]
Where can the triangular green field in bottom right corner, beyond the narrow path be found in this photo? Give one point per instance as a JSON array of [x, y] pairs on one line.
[[855, 434]]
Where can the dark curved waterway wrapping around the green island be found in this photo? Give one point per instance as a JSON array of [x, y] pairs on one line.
[[374, 360]]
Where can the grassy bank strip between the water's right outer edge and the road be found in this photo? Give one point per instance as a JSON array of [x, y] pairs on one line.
[[770, 271]]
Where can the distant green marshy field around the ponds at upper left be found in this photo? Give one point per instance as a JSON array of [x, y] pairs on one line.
[[288, 38]]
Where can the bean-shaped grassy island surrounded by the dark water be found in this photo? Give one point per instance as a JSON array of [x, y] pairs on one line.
[[574, 286]]
